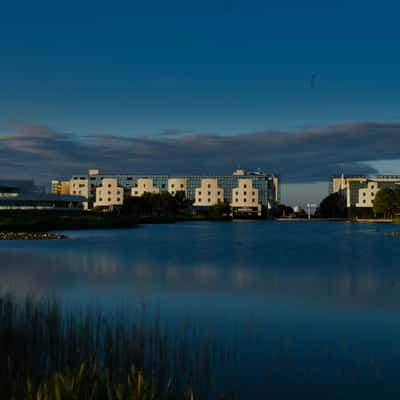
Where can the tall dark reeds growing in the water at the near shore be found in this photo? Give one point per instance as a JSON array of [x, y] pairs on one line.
[[49, 353]]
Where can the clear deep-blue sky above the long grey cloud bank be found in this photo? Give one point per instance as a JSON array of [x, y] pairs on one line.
[[223, 67]]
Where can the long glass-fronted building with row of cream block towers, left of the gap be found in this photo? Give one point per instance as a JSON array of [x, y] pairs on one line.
[[221, 188]]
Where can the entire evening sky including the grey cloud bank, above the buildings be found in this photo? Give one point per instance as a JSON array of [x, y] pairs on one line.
[[303, 89]]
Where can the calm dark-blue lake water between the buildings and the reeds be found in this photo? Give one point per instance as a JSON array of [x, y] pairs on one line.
[[310, 308]]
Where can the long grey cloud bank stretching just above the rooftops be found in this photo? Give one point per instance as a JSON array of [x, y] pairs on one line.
[[304, 156]]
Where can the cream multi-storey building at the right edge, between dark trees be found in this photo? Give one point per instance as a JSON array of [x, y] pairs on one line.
[[360, 191]]
